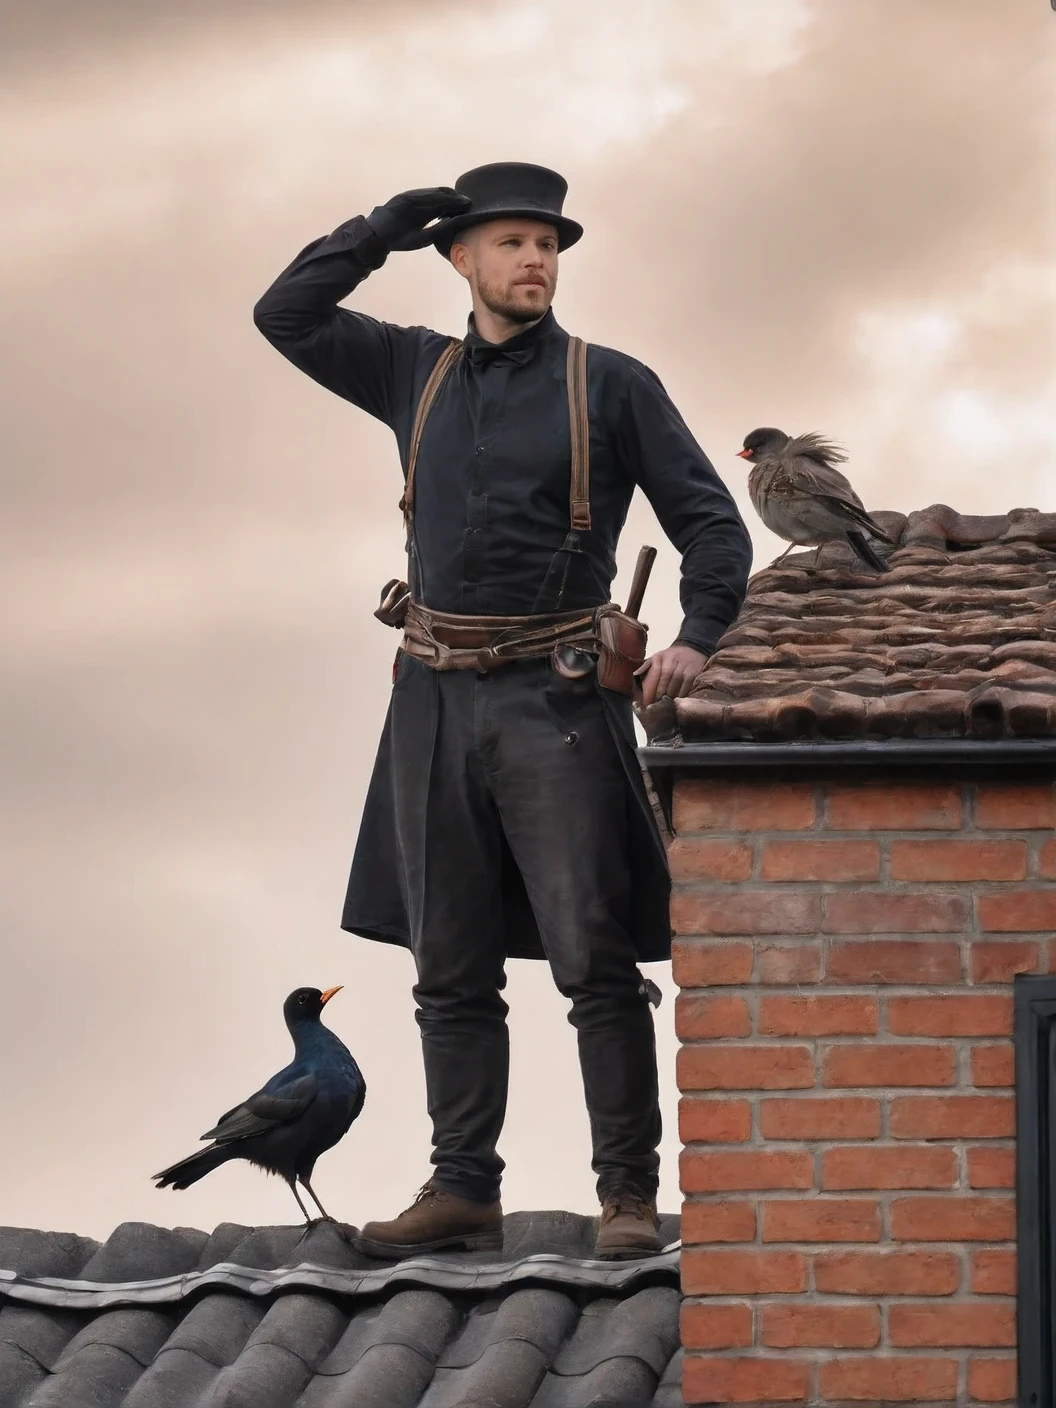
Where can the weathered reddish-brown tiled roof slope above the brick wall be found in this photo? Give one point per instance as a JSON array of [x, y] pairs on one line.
[[958, 641]]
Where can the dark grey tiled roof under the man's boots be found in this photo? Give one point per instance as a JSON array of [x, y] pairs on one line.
[[270, 1319]]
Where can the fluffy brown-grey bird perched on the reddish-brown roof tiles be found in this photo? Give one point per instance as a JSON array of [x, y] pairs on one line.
[[802, 496]]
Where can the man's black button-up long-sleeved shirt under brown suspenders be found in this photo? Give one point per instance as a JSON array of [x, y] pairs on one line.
[[492, 481]]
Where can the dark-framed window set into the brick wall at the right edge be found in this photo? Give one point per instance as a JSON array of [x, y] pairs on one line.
[[1036, 1196]]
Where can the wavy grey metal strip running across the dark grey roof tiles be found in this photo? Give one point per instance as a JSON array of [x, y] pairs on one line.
[[467, 1278]]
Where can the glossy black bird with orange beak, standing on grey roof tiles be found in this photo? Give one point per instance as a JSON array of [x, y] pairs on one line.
[[305, 1110]]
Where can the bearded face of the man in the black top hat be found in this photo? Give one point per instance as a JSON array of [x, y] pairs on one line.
[[512, 267]]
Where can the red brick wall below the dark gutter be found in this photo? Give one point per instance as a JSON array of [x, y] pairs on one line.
[[846, 954]]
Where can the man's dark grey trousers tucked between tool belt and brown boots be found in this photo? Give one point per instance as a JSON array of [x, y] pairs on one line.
[[520, 768]]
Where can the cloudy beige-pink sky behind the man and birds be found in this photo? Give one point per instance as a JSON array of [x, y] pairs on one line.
[[809, 213]]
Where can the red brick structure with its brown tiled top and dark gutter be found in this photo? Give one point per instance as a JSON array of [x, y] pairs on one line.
[[851, 916]]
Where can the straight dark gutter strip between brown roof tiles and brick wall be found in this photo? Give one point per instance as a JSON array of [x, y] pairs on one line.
[[885, 754]]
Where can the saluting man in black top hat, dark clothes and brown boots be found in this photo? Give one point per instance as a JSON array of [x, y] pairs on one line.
[[508, 813]]
